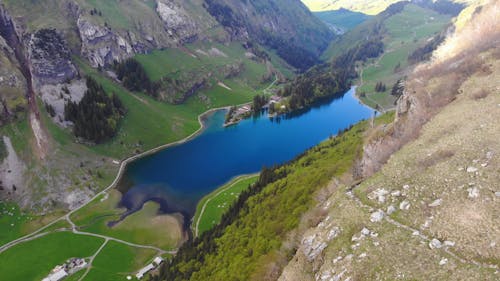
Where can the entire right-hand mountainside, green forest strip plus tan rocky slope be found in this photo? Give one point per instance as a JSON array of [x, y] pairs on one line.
[[411, 194]]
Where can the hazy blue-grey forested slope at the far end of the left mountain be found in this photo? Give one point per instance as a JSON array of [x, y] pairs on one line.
[[298, 37]]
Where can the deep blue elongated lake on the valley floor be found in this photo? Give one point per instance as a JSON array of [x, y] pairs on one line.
[[179, 176]]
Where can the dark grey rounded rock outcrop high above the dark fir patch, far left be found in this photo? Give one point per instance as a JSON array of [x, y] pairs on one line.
[[50, 58]]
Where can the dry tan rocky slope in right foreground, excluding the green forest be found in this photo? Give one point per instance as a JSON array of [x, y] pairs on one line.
[[431, 212]]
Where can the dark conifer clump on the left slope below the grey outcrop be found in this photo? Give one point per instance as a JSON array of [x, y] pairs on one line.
[[97, 115]]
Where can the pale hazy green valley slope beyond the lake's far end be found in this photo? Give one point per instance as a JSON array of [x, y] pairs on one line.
[[402, 33]]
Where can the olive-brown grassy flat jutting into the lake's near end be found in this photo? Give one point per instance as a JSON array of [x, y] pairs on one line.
[[146, 227]]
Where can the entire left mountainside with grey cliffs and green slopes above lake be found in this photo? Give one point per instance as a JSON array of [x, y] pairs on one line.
[[152, 55]]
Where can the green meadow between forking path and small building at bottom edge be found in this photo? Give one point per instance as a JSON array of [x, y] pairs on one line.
[[116, 261]]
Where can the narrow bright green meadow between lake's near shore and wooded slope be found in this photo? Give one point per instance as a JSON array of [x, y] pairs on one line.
[[215, 204]]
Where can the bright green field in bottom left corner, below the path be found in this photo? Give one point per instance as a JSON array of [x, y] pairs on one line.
[[34, 259]]
